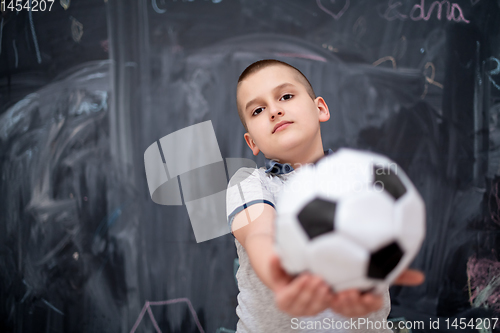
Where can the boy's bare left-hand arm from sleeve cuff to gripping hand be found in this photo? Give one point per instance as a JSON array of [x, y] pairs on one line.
[[305, 295]]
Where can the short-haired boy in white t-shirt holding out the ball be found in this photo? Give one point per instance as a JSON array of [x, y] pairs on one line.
[[282, 116]]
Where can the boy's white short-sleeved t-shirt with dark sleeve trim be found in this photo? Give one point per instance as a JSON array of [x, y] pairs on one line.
[[256, 308]]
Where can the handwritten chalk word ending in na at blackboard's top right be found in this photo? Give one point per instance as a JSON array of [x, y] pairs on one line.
[[422, 12]]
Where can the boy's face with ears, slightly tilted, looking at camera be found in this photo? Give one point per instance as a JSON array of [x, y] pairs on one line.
[[280, 115]]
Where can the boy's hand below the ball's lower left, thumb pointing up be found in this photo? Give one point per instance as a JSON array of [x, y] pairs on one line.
[[305, 295]]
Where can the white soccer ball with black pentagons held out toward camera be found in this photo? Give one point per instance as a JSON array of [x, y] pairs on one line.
[[353, 218]]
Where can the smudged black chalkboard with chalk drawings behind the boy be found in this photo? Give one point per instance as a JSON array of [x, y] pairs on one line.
[[83, 247]]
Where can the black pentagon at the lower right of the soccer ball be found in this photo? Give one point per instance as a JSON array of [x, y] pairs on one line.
[[384, 261]]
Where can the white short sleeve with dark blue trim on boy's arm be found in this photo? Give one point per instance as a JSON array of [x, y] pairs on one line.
[[247, 187]]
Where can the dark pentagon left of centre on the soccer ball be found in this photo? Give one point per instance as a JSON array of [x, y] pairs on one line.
[[317, 217]]
